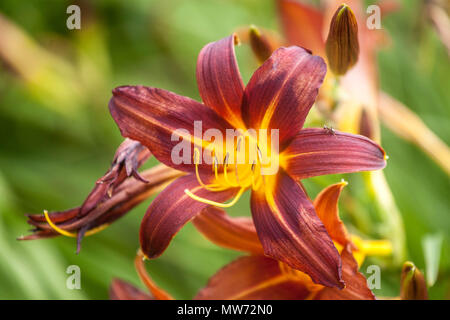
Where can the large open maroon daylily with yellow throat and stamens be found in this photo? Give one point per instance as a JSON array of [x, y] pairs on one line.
[[278, 96]]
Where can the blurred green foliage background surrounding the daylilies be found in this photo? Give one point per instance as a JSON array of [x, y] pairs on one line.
[[57, 137]]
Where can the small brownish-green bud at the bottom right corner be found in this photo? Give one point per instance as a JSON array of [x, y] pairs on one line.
[[413, 286]]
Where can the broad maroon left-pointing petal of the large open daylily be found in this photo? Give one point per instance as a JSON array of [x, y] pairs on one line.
[[151, 116]]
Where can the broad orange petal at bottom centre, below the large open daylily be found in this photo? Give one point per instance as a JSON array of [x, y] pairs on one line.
[[253, 278]]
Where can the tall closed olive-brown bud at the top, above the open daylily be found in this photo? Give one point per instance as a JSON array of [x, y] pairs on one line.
[[342, 46]]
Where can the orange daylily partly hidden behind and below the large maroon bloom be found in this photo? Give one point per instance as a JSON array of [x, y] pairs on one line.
[[259, 277]]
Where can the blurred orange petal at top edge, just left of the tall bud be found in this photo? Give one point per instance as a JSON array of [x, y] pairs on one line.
[[302, 25]]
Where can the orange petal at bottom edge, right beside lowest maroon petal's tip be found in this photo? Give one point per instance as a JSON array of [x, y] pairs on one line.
[[355, 283]]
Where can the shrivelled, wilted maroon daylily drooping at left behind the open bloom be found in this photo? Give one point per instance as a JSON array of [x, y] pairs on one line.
[[112, 196]]
